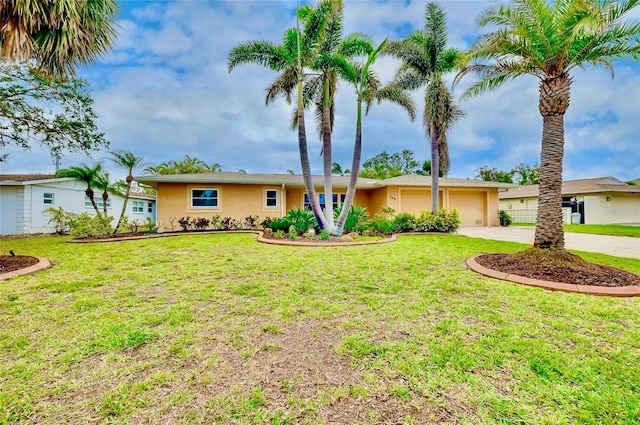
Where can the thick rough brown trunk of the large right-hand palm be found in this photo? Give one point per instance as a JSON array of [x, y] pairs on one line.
[[554, 101]]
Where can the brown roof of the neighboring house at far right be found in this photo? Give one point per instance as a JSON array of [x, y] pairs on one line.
[[574, 187]]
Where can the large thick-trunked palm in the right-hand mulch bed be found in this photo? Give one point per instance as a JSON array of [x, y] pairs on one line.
[[548, 40]]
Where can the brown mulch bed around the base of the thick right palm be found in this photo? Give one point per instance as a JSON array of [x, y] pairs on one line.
[[577, 272]]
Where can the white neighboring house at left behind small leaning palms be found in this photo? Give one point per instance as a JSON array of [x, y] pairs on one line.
[[23, 199]]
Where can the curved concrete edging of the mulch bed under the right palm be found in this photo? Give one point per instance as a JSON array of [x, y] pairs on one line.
[[620, 291]]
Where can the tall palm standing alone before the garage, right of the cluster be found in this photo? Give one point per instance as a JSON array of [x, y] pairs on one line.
[[425, 59]]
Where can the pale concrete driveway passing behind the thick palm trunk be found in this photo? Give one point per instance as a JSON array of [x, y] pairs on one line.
[[619, 246]]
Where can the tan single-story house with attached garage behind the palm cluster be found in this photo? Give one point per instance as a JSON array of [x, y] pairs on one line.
[[239, 195]]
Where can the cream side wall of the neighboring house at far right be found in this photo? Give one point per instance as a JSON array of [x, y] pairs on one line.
[[621, 208]]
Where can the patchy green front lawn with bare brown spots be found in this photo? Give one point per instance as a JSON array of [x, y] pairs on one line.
[[221, 329]]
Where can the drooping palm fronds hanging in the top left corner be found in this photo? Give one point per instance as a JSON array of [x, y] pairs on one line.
[[59, 35]]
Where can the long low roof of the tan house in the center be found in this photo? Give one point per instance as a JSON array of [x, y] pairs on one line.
[[293, 180]]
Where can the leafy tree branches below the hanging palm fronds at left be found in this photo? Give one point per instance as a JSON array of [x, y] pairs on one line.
[[55, 114]]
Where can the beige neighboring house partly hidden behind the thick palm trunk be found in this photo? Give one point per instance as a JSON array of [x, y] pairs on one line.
[[603, 200]]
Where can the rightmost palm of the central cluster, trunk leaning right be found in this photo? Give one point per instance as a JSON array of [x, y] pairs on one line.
[[367, 88]]
